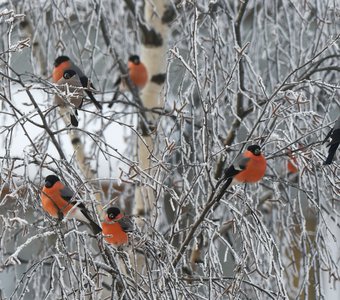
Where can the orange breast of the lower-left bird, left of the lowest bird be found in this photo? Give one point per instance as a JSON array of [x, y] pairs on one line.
[[53, 203]]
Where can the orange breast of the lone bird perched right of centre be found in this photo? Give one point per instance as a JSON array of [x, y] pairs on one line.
[[255, 170]]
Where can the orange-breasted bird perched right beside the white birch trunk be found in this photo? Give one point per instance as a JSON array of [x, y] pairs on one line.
[[137, 73]]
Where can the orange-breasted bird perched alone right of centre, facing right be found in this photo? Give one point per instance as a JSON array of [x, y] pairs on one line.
[[249, 167]]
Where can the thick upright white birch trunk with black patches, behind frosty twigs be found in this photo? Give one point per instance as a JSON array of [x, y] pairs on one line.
[[157, 15]]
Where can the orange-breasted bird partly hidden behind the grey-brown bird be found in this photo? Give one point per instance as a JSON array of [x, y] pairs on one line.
[[63, 63]]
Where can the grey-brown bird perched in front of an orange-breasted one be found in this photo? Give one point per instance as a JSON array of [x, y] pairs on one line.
[[71, 79]]
